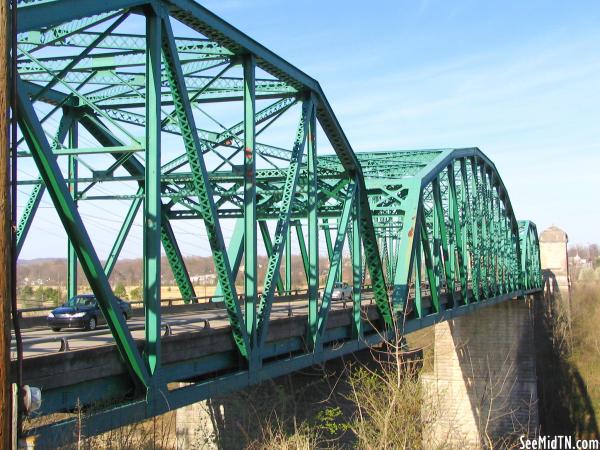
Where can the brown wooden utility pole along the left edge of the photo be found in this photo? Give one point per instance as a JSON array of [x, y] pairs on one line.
[[5, 237]]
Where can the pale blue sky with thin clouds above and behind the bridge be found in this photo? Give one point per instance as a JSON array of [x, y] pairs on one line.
[[518, 79]]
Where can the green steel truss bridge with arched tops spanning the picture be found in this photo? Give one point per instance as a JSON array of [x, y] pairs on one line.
[[165, 109]]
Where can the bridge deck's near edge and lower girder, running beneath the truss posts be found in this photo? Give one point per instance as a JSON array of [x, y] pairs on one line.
[[206, 356]]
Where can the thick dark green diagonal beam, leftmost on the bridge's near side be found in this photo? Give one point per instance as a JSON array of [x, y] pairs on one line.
[[77, 234]]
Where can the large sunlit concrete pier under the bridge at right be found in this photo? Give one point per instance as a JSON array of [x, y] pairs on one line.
[[483, 390]]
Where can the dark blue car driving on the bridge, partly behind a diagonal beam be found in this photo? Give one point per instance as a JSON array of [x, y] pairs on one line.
[[82, 311]]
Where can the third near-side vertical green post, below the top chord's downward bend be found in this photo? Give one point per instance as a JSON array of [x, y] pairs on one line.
[[313, 229]]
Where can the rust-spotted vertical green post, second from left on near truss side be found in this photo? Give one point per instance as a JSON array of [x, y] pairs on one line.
[[250, 235]]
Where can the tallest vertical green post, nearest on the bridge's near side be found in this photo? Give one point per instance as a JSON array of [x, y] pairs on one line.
[[152, 193]]
